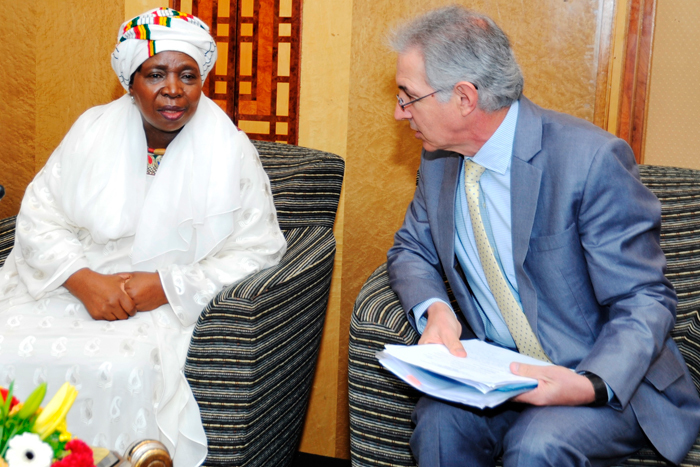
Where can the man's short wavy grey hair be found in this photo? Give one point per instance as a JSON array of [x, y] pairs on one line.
[[458, 44]]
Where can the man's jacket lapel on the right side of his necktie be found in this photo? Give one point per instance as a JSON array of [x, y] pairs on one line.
[[525, 188]]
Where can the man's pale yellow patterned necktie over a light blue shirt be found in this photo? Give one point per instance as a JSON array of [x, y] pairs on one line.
[[513, 315]]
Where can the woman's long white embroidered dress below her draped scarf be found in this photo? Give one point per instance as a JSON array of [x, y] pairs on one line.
[[129, 373]]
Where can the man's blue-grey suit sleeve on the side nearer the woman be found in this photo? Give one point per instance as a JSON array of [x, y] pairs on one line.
[[415, 272]]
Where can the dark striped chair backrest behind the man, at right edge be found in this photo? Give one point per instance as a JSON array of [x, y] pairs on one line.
[[679, 193]]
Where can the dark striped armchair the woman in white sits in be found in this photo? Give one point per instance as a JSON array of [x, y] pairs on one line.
[[253, 353]]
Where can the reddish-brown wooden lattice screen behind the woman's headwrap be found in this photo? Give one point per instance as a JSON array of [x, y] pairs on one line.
[[256, 77]]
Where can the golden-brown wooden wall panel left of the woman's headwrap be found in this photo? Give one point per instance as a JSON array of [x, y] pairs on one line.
[[50, 75]]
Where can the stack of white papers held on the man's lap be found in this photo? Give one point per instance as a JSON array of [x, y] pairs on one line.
[[483, 379]]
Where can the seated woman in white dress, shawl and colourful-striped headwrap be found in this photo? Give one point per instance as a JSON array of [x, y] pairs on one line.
[[147, 209]]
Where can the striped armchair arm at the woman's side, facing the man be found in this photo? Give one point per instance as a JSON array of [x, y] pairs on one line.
[[253, 353]]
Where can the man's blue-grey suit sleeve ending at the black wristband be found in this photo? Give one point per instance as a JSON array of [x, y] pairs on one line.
[[619, 228]]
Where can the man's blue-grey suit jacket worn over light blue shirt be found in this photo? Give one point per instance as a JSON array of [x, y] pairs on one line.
[[588, 263]]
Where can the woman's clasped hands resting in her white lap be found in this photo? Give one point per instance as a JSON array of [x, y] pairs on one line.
[[116, 296]]
